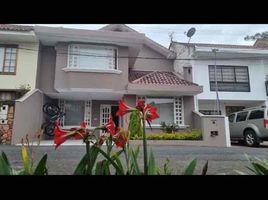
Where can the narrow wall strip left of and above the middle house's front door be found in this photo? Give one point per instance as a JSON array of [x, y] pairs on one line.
[[96, 110]]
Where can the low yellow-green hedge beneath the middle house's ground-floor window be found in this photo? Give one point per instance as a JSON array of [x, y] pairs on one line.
[[190, 135]]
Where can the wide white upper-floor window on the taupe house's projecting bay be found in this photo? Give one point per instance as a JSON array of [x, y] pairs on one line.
[[95, 57]]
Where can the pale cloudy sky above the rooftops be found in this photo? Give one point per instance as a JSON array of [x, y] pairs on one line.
[[205, 33]]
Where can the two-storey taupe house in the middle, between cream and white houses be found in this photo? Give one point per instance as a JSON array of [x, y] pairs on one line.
[[86, 72]]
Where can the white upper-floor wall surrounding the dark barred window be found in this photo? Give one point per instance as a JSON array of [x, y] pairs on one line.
[[256, 78]]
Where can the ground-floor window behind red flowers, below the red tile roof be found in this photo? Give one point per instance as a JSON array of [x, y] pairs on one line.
[[165, 109]]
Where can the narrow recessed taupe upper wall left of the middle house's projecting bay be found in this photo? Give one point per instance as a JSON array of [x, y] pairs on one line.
[[47, 69]]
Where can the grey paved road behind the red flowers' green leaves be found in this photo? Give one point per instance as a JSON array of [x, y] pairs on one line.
[[221, 160]]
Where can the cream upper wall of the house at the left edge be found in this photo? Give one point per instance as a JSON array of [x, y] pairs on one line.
[[26, 69]]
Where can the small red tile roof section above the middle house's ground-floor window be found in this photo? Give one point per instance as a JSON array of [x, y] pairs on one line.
[[157, 78]]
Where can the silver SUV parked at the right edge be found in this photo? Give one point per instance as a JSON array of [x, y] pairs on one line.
[[249, 126]]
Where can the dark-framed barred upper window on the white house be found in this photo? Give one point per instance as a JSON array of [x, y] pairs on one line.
[[229, 78]]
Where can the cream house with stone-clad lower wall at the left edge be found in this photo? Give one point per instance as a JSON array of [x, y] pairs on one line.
[[18, 71]]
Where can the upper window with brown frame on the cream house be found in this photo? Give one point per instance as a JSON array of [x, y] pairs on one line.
[[8, 59]]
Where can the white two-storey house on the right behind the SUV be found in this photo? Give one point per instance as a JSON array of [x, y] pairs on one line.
[[240, 74]]
